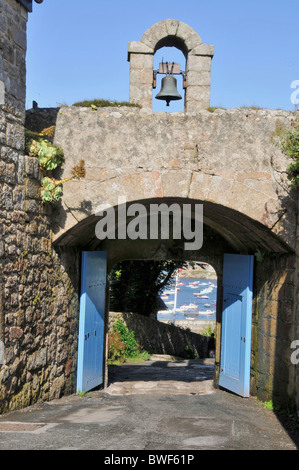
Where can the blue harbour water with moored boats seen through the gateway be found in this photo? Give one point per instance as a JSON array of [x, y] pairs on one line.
[[185, 296]]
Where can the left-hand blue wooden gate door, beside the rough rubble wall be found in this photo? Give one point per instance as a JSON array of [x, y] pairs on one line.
[[91, 322]]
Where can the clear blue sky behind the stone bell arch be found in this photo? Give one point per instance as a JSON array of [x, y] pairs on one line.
[[78, 49]]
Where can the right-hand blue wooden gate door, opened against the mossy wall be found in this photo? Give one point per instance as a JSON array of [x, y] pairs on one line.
[[236, 324]]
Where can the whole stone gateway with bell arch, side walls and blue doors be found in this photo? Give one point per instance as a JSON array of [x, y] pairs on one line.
[[55, 264]]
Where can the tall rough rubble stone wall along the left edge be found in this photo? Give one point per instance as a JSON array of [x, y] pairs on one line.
[[38, 284]]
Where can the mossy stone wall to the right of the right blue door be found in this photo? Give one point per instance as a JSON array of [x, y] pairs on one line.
[[273, 376]]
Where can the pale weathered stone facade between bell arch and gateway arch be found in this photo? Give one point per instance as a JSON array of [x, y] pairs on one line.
[[198, 148]]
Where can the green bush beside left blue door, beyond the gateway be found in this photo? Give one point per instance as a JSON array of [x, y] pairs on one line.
[[123, 347]]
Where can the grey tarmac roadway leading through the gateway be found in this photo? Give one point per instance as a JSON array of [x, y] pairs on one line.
[[160, 405]]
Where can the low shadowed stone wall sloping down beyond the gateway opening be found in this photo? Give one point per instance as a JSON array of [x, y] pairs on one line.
[[160, 338]]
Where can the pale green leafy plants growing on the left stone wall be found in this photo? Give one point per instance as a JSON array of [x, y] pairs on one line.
[[49, 158]]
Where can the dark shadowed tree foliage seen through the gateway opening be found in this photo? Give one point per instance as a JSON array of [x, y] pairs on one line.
[[136, 285]]
